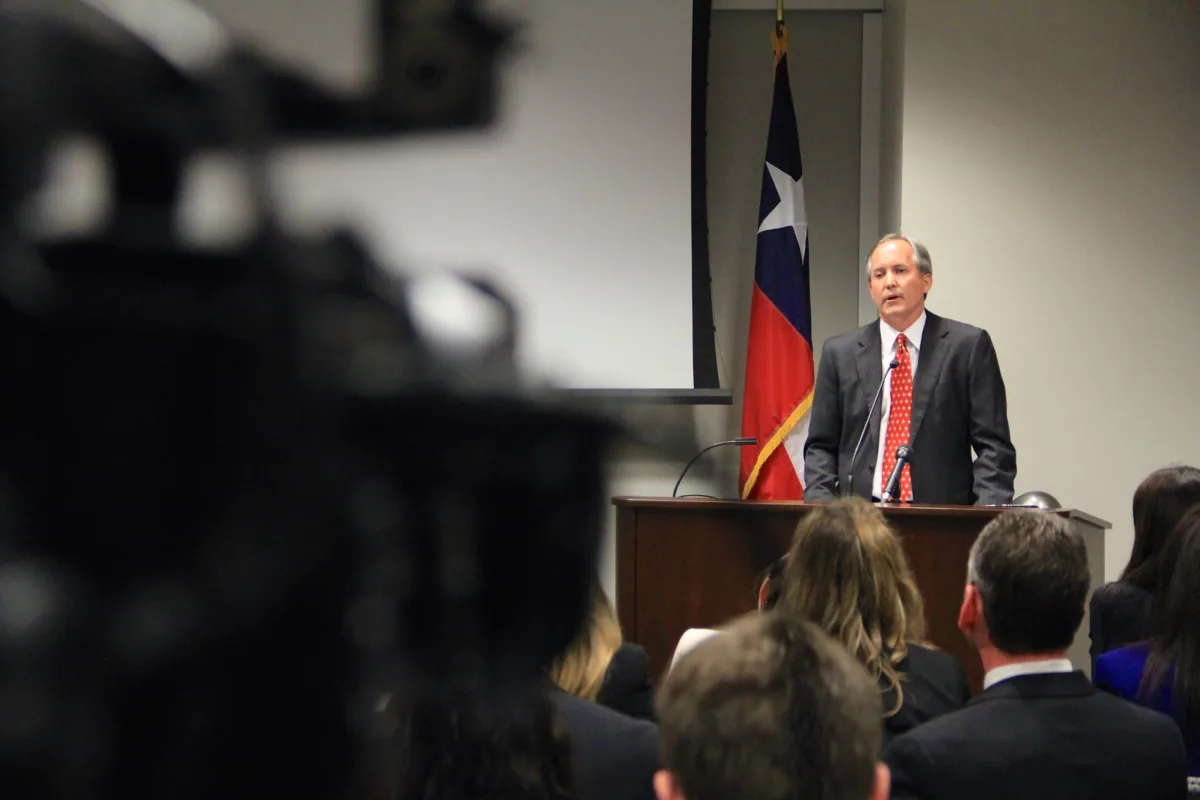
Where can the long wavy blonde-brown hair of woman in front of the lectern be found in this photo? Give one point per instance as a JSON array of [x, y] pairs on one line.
[[848, 573]]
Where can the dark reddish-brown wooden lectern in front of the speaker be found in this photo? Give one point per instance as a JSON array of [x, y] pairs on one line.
[[693, 564]]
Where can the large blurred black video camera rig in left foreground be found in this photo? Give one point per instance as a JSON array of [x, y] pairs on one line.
[[244, 491]]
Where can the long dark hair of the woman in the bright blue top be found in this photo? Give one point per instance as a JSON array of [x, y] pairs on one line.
[[1175, 652]]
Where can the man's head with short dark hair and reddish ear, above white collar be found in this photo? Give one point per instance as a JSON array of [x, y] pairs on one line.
[[1028, 585]]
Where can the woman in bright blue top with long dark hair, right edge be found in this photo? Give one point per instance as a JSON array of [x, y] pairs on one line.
[[1163, 673]]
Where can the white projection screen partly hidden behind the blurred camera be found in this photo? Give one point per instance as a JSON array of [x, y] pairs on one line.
[[577, 202]]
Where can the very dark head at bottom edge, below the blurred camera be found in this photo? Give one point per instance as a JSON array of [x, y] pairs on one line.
[[460, 743]]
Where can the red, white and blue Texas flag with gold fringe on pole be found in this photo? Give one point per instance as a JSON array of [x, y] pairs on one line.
[[778, 395]]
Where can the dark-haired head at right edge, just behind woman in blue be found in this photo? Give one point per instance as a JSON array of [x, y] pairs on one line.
[[1159, 506]]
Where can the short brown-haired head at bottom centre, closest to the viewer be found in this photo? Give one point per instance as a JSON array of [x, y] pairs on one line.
[[772, 711]]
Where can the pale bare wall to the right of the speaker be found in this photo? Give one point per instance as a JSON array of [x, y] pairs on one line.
[[1051, 158]]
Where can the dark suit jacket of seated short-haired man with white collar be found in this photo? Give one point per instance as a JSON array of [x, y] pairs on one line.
[[1048, 736]]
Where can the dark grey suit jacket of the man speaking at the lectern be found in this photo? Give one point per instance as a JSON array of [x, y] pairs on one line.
[[958, 405]]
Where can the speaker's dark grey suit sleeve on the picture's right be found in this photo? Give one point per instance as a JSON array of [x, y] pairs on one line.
[[995, 466]]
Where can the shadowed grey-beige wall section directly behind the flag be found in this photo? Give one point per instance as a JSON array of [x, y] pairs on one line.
[[826, 67]]
